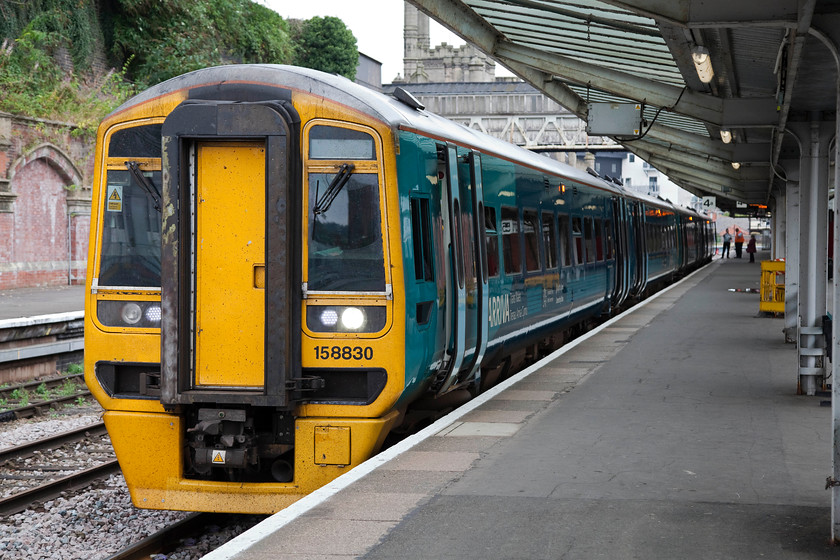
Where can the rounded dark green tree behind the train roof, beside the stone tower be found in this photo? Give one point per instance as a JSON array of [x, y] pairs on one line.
[[326, 44]]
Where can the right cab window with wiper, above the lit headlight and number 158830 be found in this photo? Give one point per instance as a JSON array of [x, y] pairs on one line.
[[344, 243]]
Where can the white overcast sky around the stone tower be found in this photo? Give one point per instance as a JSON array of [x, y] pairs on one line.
[[377, 25]]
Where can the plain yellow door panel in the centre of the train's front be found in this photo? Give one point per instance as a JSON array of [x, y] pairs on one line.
[[230, 264]]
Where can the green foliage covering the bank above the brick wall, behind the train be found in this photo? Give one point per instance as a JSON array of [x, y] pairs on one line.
[[51, 60]]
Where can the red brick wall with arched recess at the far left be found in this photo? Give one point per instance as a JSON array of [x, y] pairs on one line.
[[45, 185]]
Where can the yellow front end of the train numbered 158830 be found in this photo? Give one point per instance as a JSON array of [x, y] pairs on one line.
[[233, 378]]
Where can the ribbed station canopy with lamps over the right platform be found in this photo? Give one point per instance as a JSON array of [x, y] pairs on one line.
[[773, 63]]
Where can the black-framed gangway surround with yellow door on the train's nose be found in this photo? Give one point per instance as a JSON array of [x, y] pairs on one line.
[[231, 233]]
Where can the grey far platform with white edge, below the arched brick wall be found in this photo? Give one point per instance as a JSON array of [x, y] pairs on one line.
[[23, 303]]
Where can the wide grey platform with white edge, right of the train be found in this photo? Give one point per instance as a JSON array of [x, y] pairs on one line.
[[672, 431]]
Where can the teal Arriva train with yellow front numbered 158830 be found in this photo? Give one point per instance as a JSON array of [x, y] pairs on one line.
[[286, 268]]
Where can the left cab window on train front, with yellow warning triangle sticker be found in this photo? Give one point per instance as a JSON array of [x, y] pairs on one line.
[[131, 223]]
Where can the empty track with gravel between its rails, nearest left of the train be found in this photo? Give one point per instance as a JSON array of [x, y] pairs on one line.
[[36, 462]]
